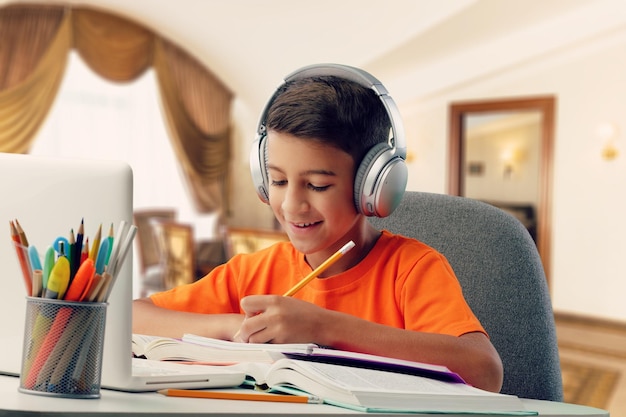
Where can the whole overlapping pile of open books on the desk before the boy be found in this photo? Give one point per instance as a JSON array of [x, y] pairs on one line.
[[345, 379]]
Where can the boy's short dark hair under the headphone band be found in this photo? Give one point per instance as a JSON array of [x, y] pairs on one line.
[[333, 110]]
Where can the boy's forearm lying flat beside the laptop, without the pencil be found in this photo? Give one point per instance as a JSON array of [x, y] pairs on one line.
[[150, 319]]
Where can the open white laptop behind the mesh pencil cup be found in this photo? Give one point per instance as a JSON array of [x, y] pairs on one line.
[[49, 196]]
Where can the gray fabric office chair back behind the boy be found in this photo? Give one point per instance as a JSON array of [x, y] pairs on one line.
[[503, 280]]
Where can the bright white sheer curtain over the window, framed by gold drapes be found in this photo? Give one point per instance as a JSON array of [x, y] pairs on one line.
[[97, 119]]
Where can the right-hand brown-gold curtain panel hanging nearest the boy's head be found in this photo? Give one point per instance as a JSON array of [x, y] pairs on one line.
[[199, 125]]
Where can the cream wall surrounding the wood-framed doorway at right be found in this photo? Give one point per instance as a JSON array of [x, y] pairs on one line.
[[589, 193]]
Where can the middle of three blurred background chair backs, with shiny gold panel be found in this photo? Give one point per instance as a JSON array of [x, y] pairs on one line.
[[177, 248]]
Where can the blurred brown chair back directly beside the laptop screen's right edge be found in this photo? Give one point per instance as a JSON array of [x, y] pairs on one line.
[[145, 220]]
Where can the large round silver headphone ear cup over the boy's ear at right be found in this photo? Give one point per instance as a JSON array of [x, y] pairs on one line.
[[380, 182]]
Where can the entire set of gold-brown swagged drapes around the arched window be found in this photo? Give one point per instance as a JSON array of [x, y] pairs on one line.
[[33, 53]]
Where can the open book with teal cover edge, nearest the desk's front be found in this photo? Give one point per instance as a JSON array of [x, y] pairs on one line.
[[378, 391]]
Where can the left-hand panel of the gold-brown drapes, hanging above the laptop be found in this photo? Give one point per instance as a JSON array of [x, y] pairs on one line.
[[33, 54]]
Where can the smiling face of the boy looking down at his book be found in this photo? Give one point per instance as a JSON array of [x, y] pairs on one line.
[[311, 192]]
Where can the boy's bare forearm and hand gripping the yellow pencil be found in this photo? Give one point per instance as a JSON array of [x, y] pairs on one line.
[[287, 320]]
